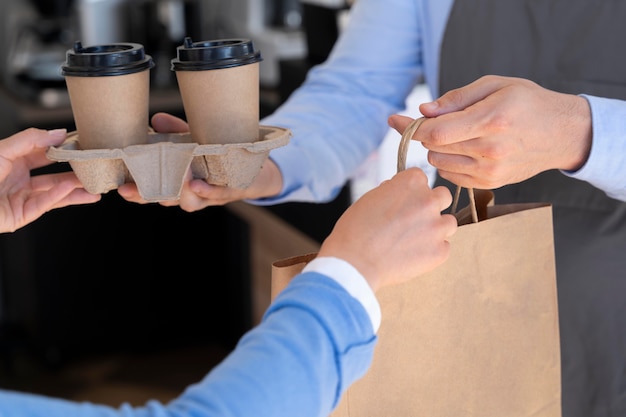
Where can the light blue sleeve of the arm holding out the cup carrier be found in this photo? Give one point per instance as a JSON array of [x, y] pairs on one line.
[[339, 116]]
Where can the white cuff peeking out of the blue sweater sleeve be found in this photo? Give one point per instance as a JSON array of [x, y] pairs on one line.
[[351, 279]]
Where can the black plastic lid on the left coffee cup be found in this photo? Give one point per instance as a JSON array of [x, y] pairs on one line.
[[104, 60]]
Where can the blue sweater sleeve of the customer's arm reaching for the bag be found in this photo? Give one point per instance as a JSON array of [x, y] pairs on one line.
[[314, 341]]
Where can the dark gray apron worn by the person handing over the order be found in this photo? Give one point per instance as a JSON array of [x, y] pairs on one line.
[[572, 46]]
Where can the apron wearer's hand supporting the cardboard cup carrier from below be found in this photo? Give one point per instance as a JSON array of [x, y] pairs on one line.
[[197, 194]]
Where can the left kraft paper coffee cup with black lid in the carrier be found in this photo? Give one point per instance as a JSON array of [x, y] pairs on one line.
[[109, 87]]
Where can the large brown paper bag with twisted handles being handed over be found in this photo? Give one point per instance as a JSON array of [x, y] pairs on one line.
[[476, 337]]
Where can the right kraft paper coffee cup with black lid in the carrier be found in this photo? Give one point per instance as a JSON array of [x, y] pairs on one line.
[[219, 85]]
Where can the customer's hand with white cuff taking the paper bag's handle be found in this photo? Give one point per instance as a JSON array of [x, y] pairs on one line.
[[394, 232]]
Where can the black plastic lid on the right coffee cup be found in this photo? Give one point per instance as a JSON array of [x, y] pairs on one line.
[[215, 54]]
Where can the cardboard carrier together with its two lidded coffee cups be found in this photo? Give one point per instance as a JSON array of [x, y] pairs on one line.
[[108, 86]]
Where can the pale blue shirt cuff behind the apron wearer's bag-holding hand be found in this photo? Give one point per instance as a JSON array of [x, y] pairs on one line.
[[606, 166]]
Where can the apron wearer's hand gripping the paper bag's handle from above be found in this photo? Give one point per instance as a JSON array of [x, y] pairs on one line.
[[502, 130]]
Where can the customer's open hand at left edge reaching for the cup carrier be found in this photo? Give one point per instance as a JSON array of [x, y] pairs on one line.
[[23, 197]]
